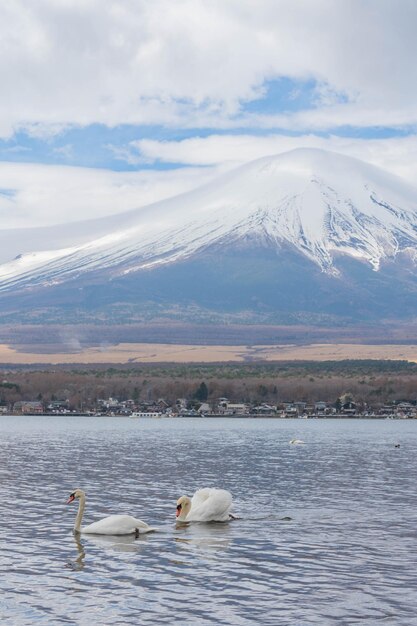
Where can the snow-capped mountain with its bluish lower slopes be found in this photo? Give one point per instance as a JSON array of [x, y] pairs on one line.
[[315, 215]]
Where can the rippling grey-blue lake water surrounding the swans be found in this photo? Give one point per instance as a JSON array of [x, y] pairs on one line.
[[327, 530]]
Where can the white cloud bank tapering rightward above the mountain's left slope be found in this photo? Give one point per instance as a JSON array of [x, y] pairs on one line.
[[39, 195]]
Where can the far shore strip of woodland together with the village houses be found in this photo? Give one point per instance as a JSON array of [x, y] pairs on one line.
[[349, 388]]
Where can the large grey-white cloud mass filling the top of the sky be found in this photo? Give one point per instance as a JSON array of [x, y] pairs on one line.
[[192, 62]]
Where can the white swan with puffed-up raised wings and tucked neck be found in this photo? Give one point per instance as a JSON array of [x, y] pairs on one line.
[[206, 505]]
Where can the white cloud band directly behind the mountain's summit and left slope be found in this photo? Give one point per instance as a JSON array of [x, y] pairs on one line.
[[39, 195]]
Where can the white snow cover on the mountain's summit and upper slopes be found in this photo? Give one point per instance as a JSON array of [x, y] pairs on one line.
[[321, 203]]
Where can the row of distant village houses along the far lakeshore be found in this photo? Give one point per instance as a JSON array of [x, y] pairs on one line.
[[345, 407]]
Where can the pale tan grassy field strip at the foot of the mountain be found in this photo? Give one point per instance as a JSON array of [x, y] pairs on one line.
[[158, 353]]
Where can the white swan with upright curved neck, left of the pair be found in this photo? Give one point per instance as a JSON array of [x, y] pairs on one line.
[[112, 525]]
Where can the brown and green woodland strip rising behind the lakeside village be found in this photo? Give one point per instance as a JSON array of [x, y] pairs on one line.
[[373, 382]]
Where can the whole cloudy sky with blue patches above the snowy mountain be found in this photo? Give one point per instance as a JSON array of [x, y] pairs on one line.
[[109, 105]]
